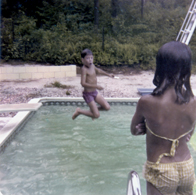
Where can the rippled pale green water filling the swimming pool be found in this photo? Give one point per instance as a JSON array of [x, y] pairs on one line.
[[55, 155]]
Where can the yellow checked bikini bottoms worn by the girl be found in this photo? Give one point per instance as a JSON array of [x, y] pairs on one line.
[[171, 178]]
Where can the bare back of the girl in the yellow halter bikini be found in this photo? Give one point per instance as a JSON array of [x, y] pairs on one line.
[[165, 118]]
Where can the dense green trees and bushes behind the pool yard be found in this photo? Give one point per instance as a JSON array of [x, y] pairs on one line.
[[56, 31]]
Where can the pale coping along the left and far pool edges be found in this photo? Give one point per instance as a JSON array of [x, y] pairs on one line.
[[18, 121]]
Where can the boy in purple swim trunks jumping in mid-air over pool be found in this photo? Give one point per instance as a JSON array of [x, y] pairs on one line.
[[89, 82]]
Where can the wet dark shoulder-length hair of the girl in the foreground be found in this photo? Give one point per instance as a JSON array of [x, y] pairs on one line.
[[173, 67]]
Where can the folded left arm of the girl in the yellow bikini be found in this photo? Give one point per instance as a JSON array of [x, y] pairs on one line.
[[138, 121]]
